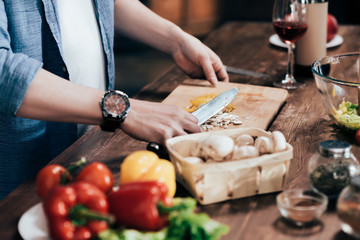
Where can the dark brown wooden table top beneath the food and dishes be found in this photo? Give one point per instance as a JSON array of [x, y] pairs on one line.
[[302, 120]]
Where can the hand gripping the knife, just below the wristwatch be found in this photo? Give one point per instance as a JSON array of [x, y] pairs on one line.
[[157, 122]]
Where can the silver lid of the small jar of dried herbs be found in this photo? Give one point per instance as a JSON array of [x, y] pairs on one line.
[[335, 149]]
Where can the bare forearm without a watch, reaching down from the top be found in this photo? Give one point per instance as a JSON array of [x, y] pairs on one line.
[[135, 20]]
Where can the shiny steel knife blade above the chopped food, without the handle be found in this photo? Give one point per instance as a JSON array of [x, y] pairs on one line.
[[215, 105]]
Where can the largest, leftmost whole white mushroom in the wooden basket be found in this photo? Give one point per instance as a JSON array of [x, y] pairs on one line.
[[216, 147]]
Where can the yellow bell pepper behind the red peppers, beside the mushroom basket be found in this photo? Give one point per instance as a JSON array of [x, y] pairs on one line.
[[147, 166]]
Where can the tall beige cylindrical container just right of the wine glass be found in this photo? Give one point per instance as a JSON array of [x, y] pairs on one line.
[[312, 46]]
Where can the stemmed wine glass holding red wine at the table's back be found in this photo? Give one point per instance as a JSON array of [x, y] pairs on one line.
[[289, 22]]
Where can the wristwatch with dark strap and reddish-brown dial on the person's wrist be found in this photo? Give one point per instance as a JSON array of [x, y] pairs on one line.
[[115, 106]]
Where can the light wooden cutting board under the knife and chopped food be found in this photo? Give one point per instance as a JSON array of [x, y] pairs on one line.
[[256, 106]]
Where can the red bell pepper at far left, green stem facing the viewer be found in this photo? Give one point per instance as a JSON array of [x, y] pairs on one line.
[[76, 211]]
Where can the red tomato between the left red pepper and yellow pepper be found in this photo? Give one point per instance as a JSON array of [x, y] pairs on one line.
[[97, 174]]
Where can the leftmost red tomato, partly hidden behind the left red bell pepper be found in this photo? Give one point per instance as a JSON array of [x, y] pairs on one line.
[[48, 178]]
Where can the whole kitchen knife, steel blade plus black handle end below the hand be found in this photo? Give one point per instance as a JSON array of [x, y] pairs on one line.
[[202, 114]]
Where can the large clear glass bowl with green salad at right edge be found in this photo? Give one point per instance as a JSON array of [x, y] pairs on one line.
[[338, 81]]
